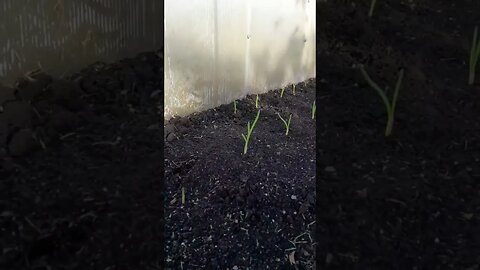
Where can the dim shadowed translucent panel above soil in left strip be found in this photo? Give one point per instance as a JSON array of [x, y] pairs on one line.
[[62, 36]]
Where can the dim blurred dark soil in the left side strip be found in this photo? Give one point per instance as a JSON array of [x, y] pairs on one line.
[[81, 168]]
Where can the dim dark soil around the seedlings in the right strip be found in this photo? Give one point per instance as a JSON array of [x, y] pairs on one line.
[[412, 200]]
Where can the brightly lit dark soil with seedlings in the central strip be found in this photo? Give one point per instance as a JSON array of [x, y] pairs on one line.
[[252, 211]]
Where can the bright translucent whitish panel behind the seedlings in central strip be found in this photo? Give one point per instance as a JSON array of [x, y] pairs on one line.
[[220, 50]]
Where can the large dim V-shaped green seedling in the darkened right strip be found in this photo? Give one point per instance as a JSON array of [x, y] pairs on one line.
[[390, 106]]
